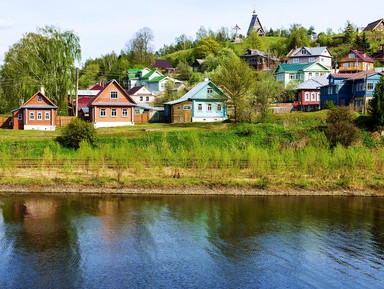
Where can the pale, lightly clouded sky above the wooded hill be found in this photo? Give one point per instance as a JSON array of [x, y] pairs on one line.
[[106, 26]]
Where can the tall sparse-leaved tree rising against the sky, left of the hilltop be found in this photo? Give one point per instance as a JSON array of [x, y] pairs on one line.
[[140, 47]]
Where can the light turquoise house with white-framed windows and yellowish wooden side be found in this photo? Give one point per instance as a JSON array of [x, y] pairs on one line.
[[206, 102]]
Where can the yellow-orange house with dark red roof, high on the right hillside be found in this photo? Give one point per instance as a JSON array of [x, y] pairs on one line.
[[355, 61]]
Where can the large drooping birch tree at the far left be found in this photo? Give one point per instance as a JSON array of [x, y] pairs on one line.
[[43, 59]]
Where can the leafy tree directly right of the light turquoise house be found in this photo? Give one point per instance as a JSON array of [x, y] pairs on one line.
[[238, 80]]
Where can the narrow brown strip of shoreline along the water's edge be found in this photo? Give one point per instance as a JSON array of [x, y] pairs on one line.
[[178, 191]]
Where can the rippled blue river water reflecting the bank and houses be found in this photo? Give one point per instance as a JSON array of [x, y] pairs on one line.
[[191, 242]]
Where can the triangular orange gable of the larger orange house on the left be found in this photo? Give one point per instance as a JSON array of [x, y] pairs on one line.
[[112, 94]]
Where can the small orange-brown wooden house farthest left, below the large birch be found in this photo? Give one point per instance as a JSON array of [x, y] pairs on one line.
[[38, 113]]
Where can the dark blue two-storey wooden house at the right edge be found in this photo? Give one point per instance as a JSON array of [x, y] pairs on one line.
[[354, 89]]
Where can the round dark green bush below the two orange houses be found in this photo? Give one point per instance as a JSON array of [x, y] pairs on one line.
[[77, 131]]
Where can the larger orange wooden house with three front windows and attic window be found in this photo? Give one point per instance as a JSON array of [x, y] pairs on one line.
[[112, 107]]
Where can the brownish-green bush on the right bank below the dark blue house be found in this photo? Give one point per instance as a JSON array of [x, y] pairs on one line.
[[341, 129]]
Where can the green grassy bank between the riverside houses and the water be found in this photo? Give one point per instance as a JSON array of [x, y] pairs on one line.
[[289, 154]]
